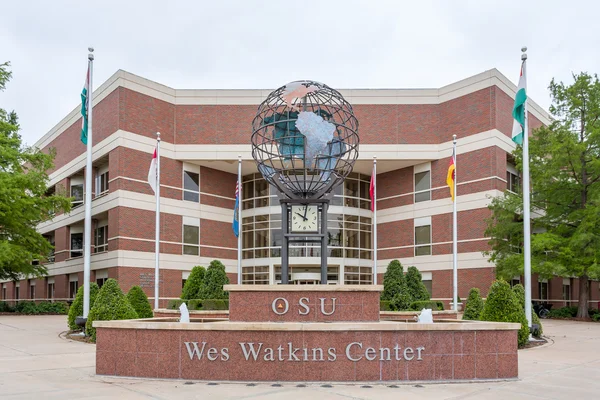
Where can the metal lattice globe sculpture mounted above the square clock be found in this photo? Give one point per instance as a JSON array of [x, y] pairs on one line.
[[305, 139]]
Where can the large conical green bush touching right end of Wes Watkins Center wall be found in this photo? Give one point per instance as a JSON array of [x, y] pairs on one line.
[[502, 305]]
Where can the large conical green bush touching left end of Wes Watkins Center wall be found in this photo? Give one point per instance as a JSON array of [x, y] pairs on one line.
[[111, 304]]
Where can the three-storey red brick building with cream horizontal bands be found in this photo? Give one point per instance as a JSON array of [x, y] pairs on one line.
[[203, 131]]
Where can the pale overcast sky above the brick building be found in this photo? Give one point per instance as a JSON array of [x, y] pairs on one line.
[[265, 44]]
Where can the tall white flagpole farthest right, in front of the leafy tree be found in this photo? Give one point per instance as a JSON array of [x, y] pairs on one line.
[[526, 203]]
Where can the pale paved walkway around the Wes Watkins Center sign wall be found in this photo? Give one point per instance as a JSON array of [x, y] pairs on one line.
[[36, 363]]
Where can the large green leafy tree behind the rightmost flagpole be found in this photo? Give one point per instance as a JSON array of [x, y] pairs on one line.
[[565, 178]]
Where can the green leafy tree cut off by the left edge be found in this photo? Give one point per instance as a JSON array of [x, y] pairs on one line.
[[24, 199]]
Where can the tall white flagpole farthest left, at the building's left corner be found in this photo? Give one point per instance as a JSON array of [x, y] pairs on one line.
[[87, 241]]
